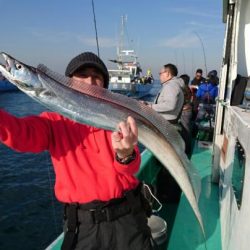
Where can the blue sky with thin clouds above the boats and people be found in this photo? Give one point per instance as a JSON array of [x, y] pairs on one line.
[[188, 34]]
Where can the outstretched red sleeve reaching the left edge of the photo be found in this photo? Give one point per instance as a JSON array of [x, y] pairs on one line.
[[28, 134]]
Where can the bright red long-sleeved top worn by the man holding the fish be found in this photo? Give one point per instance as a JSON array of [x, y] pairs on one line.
[[82, 155]]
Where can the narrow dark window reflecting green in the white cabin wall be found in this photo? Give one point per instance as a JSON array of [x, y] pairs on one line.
[[238, 172]]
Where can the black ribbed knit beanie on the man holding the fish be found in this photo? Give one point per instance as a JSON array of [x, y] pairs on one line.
[[88, 59]]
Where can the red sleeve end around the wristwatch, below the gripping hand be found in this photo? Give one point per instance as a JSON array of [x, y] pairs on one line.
[[132, 167]]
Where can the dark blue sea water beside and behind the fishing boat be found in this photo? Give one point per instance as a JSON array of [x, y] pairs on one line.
[[30, 216]]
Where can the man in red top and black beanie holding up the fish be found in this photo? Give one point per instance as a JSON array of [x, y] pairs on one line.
[[94, 169]]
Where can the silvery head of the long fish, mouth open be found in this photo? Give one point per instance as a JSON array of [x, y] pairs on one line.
[[25, 77]]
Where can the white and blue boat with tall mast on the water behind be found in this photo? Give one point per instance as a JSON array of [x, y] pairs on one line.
[[127, 78]]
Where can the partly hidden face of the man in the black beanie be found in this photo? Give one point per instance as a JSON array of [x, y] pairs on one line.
[[89, 76]]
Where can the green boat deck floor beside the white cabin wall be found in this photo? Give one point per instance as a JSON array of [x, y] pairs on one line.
[[186, 233]]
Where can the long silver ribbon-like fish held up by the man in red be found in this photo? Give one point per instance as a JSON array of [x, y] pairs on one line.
[[101, 108]]
